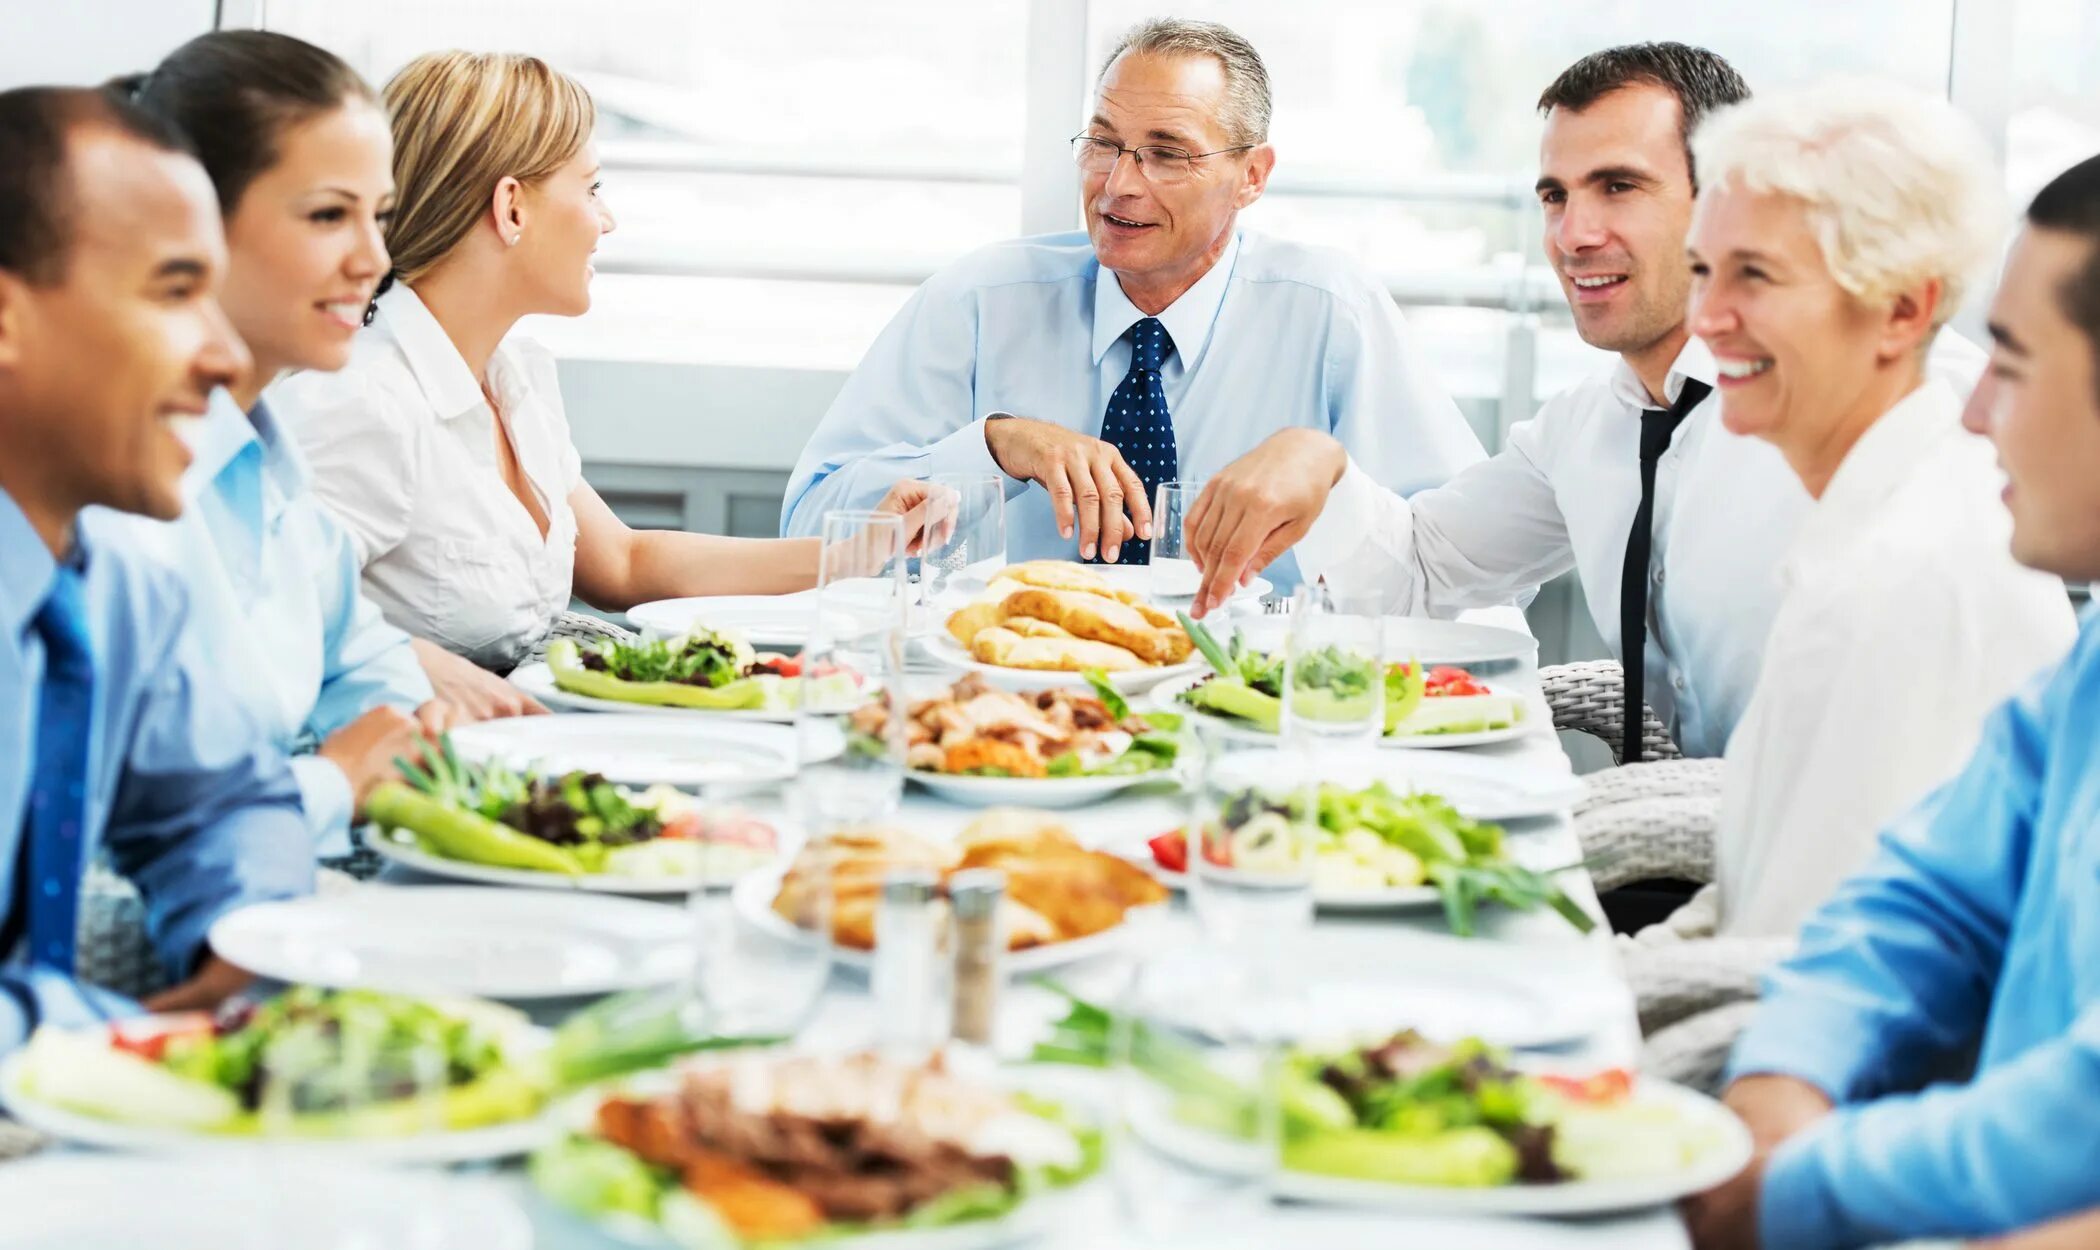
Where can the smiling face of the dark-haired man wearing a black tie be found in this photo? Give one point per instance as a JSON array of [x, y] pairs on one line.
[[1616, 190]]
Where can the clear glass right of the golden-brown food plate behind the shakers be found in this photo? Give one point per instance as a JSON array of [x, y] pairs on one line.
[[1251, 839]]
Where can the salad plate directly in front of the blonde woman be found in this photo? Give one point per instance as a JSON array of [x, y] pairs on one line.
[[705, 671]]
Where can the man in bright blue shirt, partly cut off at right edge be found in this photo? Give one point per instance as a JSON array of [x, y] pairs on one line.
[[1977, 928]]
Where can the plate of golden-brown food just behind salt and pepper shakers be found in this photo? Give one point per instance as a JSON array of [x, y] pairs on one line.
[[1062, 902]]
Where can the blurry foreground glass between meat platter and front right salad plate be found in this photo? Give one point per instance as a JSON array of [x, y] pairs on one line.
[[1196, 1060]]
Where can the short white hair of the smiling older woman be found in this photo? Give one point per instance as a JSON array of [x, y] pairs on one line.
[[1899, 188]]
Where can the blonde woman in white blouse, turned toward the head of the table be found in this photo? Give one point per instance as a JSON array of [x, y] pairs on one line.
[[444, 446]]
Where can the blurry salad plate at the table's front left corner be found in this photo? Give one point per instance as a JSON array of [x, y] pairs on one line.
[[312, 1068]]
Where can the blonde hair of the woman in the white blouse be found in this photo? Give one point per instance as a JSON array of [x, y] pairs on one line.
[[461, 125]]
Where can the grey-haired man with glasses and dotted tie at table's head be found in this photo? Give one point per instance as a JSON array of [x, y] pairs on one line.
[[1158, 346]]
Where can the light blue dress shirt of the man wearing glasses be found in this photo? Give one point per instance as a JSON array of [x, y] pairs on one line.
[[1276, 335]]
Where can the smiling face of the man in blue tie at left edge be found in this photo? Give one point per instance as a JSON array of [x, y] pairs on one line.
[[106, 364]]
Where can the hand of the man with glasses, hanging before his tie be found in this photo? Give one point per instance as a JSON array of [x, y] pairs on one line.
[[1089, 482]]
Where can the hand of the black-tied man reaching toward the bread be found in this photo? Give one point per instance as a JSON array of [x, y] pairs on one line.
[[1259, 507]]
